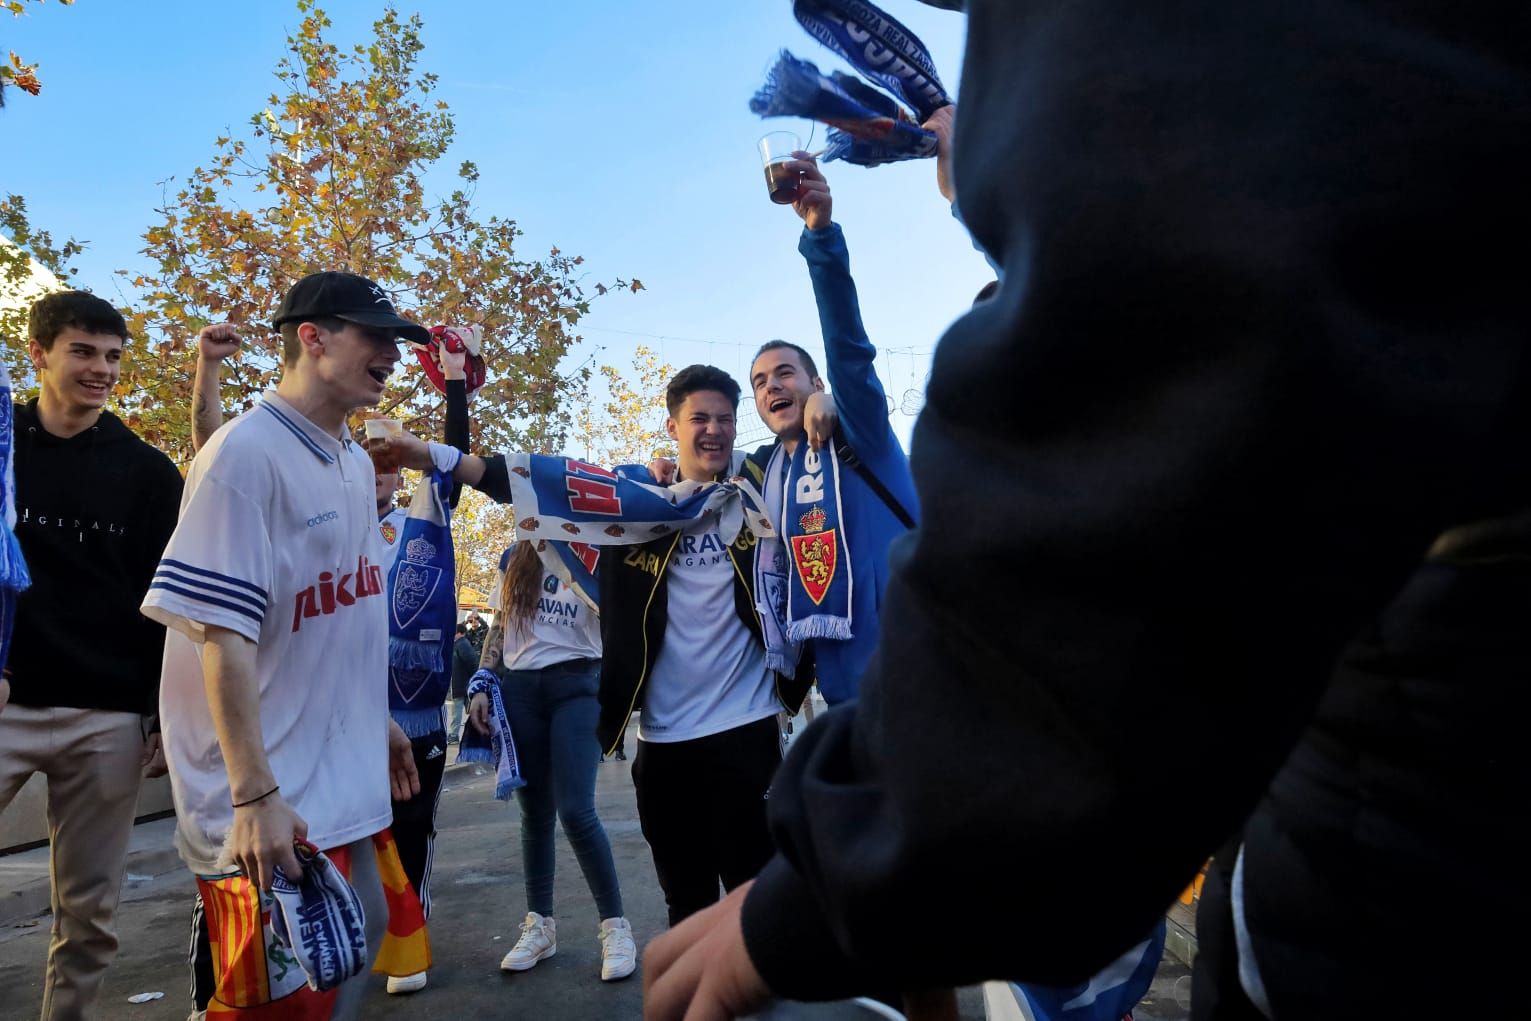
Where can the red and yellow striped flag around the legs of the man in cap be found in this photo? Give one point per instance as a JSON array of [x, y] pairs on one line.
[[258, 973]]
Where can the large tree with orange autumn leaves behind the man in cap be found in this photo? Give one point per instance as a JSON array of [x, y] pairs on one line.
[[330, 178]]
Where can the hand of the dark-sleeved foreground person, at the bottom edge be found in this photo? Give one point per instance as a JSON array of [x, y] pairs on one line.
[[700, 971]]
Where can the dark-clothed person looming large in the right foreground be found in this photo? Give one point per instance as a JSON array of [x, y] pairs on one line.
[[1230, 474]]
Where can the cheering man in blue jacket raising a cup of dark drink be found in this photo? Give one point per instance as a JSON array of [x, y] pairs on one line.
[[875, 498]]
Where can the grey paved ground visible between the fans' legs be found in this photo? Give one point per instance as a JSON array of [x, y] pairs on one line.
[[478, 907]]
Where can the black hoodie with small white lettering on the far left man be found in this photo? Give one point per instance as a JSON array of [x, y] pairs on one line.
[[94, 514]]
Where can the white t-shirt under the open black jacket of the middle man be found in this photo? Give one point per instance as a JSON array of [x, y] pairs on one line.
[[711, 673]]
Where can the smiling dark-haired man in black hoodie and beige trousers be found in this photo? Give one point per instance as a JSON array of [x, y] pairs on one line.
[[96, 507]]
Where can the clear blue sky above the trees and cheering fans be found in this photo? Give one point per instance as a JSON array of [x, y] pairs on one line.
[[612, 129]]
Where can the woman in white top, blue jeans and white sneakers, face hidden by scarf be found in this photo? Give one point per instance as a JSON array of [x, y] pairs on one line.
[[546, 650]]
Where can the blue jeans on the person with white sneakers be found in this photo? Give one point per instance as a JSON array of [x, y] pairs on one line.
[[553, 722]]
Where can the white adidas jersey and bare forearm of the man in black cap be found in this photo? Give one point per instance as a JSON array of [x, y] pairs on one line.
[[279, 543]]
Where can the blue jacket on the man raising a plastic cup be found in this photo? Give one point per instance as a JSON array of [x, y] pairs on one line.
[[870, 526]]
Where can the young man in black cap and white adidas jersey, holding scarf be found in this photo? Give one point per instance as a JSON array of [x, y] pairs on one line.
[[275, 725]]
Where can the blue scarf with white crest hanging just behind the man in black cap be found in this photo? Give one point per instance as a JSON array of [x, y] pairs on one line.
[[423, 610]]
